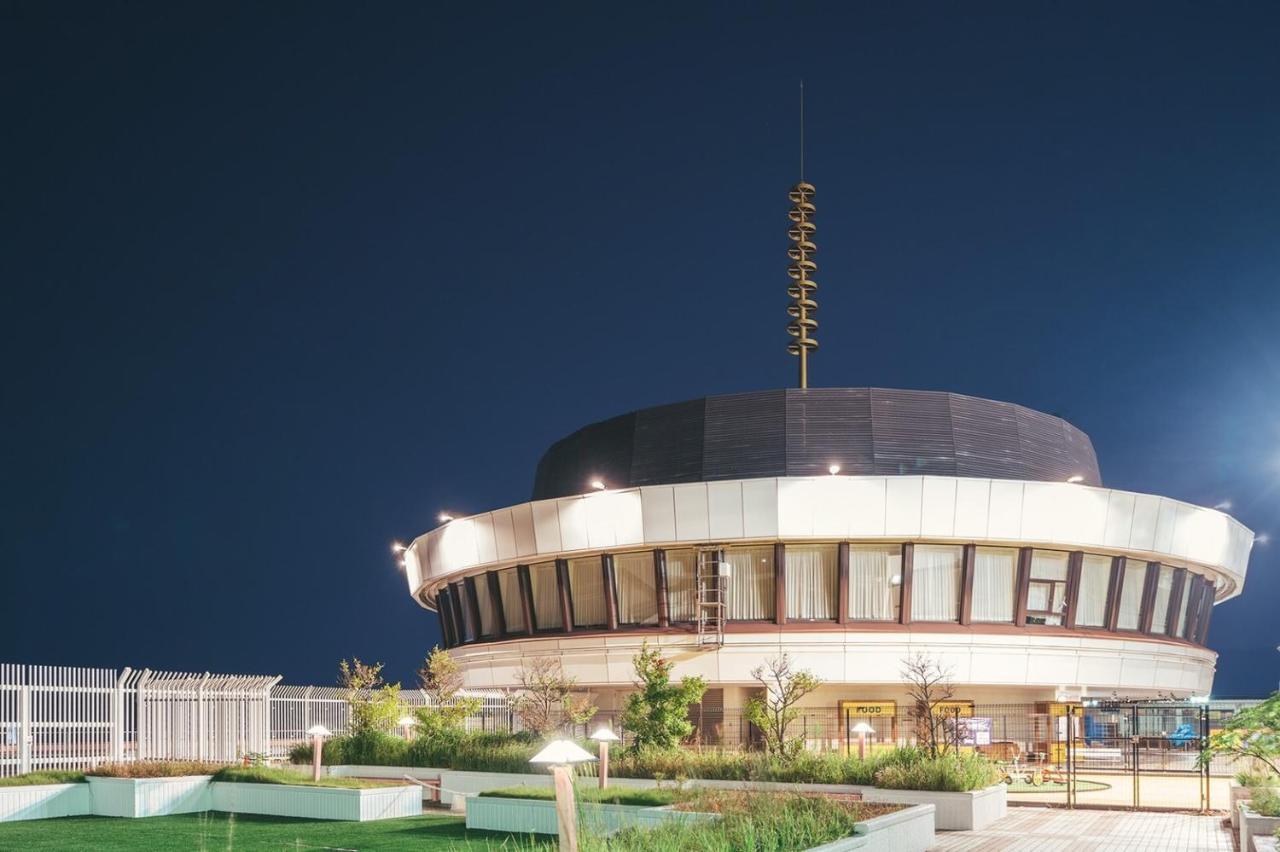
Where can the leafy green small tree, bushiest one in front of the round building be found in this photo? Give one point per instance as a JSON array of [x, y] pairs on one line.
[[657, 716]]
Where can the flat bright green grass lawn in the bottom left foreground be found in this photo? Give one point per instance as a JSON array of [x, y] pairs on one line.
[[230, 832]]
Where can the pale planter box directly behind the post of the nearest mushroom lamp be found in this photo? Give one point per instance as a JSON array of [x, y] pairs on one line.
[[537, 817]]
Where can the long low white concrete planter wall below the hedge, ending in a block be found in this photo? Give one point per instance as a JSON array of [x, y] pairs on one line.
[[967, 812]]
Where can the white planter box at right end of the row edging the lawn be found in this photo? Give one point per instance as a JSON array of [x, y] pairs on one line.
[[318, 803]]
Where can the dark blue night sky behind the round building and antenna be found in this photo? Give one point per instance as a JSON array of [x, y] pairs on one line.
[[284, 281]]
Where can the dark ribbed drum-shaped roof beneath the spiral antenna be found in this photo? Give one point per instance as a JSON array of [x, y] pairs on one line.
[[801, 433]]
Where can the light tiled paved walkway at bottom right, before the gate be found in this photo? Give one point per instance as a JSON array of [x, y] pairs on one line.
[[1045, 830]]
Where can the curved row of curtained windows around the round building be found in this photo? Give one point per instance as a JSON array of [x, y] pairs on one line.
[[935, 584]]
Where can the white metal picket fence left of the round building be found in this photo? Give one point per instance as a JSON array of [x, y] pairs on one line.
[[76, 718]]
